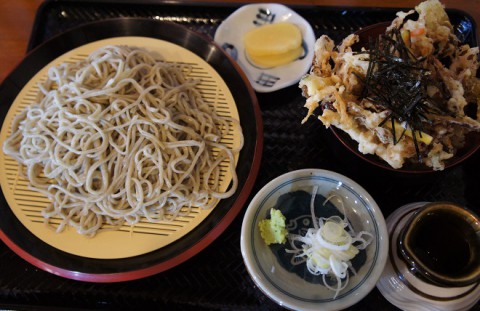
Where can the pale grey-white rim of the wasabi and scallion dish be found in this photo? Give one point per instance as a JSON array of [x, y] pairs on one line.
[[291, 302]]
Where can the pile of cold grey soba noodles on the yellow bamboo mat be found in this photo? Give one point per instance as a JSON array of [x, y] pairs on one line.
[[120, 136]]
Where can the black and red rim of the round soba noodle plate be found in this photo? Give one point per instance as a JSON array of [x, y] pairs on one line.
[[125, 26]]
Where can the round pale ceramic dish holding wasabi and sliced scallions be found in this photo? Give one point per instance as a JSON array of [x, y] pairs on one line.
[[272, 273]]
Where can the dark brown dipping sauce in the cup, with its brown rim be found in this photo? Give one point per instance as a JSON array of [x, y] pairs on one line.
[[442, 243]]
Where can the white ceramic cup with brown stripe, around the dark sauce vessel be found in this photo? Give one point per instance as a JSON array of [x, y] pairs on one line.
[[401, 287]]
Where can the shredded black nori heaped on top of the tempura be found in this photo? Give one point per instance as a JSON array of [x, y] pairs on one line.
[[397, 81]]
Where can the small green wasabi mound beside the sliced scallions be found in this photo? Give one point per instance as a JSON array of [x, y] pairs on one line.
[[273, 230]]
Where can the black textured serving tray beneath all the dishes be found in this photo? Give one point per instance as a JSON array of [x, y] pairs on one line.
[[216, 278]]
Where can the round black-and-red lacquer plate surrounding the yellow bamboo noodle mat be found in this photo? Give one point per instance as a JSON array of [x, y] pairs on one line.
[[71, 263]]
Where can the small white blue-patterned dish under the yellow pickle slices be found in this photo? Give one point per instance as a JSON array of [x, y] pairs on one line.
[[231, 31]]
